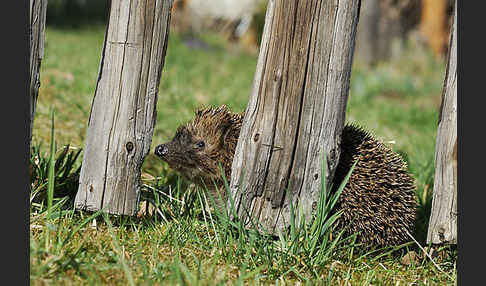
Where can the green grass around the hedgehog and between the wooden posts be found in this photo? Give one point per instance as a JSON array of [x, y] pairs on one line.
[[183, 244]]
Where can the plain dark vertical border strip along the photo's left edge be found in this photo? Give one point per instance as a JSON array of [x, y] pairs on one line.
[[15, 117]]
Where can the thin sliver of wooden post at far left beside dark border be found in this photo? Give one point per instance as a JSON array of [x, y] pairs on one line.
[[38, 9]]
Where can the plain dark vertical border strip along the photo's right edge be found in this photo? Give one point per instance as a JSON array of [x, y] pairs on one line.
[[470, 91]]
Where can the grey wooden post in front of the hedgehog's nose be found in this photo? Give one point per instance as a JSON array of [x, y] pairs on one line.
[[123, 111]]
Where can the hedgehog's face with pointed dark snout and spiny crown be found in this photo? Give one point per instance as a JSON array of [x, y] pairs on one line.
[[198, 147]]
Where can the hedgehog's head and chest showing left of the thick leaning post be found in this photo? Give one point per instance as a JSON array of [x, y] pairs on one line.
[[202, 147]]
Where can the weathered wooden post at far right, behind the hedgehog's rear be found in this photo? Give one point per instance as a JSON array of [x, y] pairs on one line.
[[443, 217]]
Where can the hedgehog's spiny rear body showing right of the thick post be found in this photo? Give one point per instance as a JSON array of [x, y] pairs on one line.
[[379, 199]]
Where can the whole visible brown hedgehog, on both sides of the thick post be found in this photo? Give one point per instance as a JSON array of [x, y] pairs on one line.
[[378, 202]]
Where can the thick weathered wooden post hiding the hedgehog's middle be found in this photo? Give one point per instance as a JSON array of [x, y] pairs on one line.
[[296, 109]]
